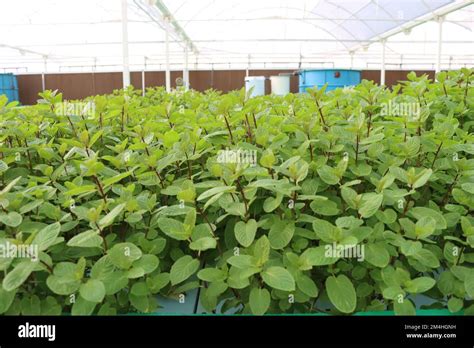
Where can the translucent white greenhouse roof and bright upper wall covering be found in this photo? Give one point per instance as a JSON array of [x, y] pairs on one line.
[[69, 36]]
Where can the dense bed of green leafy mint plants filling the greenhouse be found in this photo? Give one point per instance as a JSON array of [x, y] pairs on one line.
[[353, 200]]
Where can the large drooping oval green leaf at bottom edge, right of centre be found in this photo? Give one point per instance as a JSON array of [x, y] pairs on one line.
[[341, 293]]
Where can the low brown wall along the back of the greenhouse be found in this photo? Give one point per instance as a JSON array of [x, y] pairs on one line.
[[81, 85]]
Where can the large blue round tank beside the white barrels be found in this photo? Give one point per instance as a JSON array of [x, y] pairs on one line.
[[335, 78]]
